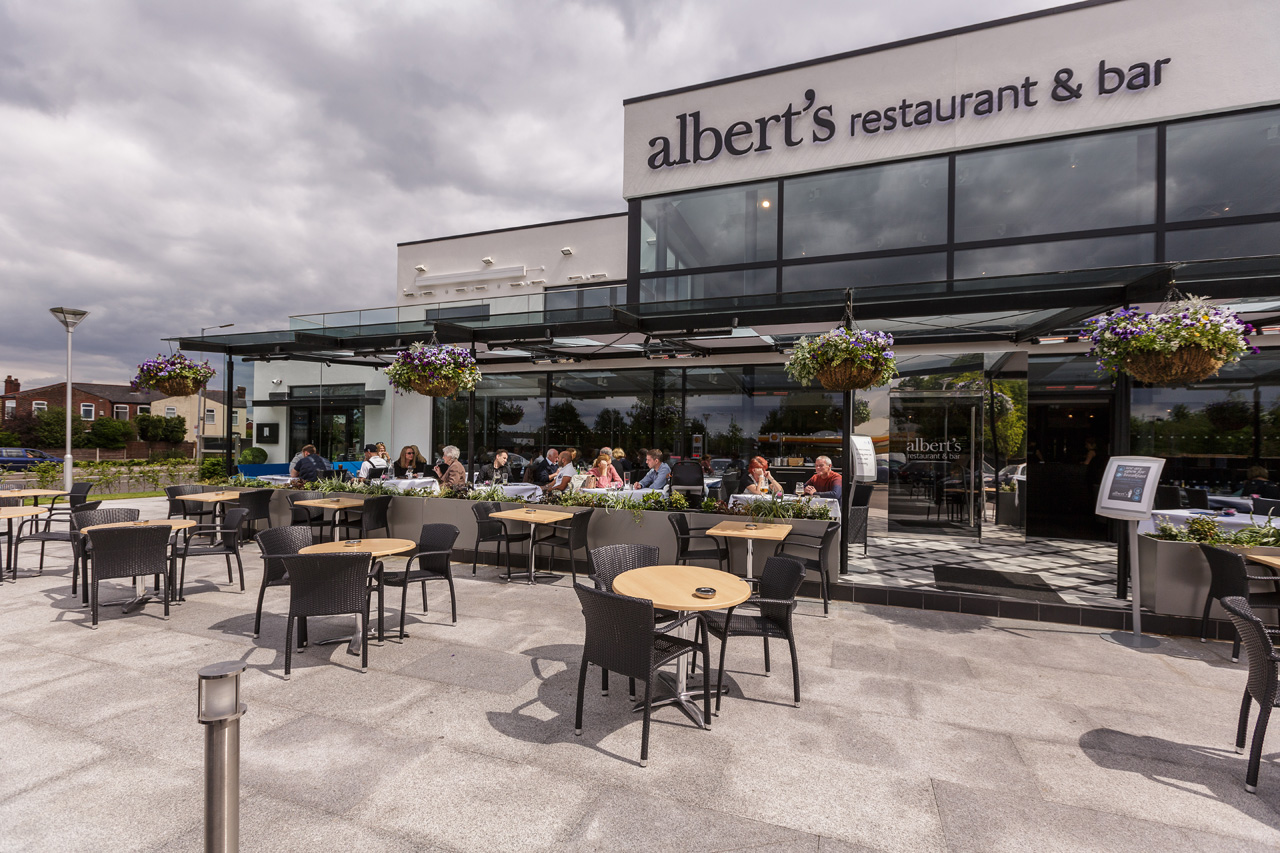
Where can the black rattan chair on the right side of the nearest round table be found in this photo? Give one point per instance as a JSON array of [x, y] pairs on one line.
[[776, 599]]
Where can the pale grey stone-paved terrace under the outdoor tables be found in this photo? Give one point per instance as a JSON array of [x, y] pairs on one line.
[[918, 732]]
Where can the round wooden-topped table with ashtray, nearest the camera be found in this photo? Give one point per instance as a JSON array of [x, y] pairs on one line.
[[673, 589]]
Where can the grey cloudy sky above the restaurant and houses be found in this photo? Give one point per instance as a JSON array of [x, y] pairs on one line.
[[172, 165]]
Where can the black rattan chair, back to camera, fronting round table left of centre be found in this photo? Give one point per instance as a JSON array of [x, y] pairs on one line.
[[328, 585]]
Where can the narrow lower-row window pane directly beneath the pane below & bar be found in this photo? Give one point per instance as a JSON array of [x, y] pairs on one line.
[[1055, 257]]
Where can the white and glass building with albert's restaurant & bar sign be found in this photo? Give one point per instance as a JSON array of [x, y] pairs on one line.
[[979, 194]]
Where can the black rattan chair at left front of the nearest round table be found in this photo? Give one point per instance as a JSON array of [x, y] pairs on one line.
[[621, 638]]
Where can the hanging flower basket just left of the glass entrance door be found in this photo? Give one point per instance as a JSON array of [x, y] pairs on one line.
[[844, 361]]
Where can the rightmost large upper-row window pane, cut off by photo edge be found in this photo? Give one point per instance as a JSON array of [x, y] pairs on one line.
[[1223, 167]]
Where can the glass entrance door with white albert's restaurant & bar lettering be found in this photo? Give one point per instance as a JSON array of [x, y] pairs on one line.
[[938, 439]]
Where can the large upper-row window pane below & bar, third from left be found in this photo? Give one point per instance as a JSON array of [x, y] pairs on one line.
[[1064, 185]]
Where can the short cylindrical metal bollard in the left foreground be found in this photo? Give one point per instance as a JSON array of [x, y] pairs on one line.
[[220, 711]]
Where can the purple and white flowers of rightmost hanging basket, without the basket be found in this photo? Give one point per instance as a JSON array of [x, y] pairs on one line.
[[1187, 323]]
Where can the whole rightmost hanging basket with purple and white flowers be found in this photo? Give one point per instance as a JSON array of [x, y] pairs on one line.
[[1188, 341]]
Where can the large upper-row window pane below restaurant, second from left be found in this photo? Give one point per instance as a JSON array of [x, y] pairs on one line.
[[886, 207]]
